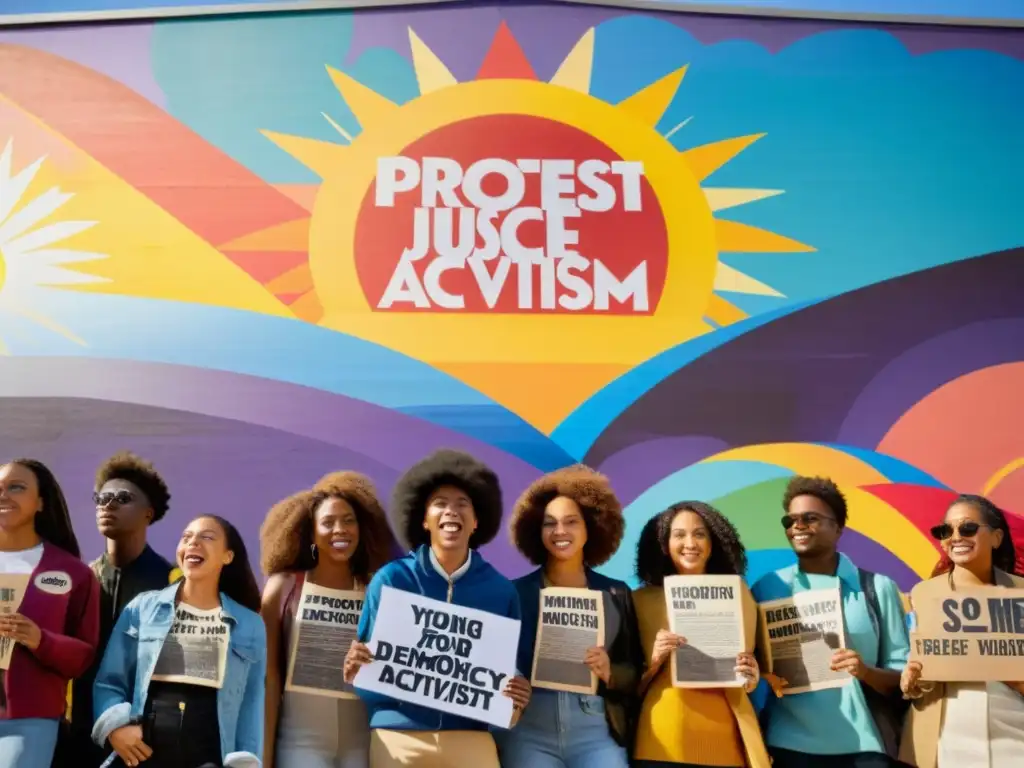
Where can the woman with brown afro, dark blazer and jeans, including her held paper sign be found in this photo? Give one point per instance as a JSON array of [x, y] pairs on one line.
[[585, 675]]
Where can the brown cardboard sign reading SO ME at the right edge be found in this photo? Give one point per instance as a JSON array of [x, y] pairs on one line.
[[970, 635]]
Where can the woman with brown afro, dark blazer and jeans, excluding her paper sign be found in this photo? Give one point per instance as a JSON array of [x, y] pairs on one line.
[[568, 523]]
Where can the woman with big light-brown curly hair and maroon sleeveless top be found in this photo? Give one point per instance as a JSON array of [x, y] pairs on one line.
[[320, 549]]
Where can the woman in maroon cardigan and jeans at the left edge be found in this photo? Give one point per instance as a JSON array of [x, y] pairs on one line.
[[50, 626]]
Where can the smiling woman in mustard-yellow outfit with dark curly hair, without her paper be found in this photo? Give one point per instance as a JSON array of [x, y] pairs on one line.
[[691, 727]]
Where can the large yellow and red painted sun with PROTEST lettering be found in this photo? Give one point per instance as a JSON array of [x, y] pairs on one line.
[[503, 324]]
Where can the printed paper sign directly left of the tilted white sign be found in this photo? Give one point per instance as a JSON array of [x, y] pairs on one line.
[[326, 624]]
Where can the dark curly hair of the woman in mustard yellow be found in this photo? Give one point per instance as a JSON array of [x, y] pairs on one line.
[[729, 557]]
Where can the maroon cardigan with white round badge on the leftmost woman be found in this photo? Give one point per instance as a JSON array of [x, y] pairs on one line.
[[63, 599]]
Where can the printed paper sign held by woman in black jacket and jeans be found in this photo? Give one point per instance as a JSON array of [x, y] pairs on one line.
[[571, 622]]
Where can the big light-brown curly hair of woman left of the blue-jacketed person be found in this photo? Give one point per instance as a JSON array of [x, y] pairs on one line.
[[287, 534]]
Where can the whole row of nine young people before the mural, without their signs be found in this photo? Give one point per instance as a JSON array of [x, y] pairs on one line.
[[108, 630]]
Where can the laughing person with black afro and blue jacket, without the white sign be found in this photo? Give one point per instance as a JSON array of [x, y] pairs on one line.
[[444, 509]]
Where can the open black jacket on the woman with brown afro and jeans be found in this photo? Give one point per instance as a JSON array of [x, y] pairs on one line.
[[621, 704]]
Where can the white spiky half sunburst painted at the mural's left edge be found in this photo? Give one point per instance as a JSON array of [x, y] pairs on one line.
[[32, 259]]
